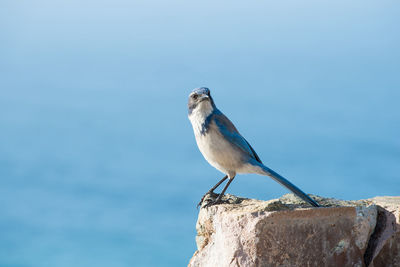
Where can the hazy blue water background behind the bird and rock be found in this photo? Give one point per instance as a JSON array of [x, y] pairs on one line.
[[98, 163]]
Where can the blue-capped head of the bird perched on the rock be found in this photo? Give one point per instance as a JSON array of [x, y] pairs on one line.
[[200, 100]]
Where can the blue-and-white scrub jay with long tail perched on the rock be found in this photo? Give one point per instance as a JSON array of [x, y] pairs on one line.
[[225, 148]]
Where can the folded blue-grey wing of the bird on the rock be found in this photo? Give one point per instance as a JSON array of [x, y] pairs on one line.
[[232, 134]]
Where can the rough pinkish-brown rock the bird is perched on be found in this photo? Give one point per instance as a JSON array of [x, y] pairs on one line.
[[287, 232]]
